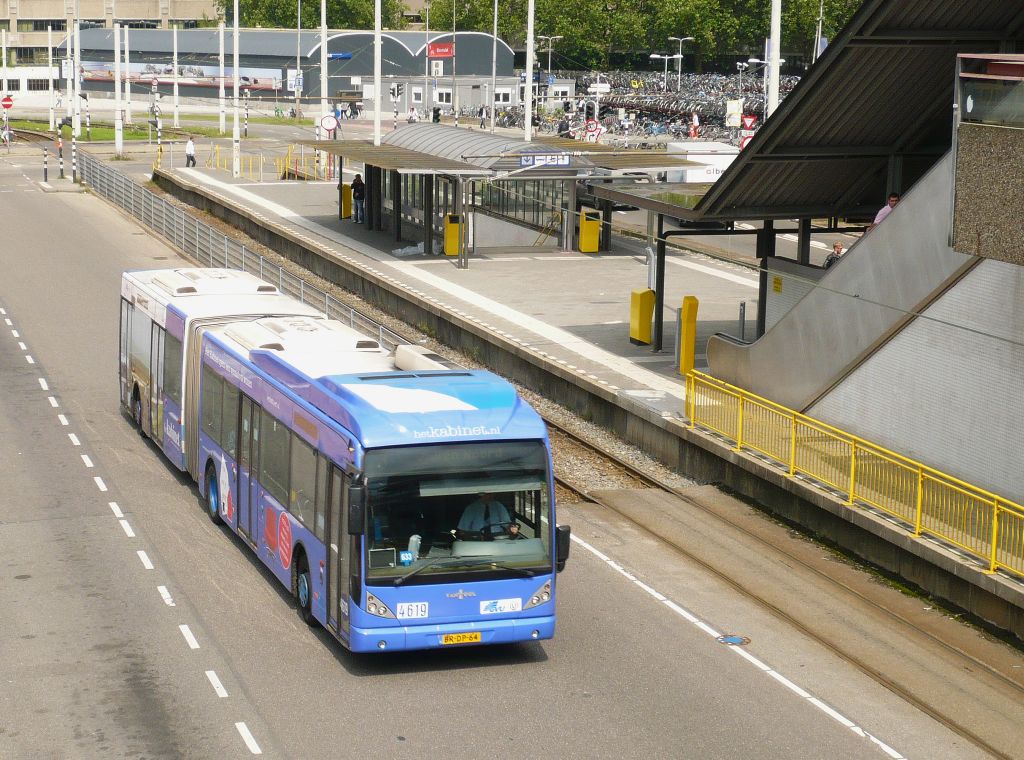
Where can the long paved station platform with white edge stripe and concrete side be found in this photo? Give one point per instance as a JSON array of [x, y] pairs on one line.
[[558, 323]]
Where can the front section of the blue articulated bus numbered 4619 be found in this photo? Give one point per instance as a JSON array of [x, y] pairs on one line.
[[407, 503]]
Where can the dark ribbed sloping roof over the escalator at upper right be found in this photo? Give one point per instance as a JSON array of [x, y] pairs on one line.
[[879, 101]]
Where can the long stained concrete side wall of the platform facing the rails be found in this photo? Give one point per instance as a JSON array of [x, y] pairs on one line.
[[935, 569]]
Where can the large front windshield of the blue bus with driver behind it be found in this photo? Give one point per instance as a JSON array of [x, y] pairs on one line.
[[441, 511]]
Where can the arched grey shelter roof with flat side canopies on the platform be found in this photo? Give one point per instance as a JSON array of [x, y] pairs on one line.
[[440, 149]]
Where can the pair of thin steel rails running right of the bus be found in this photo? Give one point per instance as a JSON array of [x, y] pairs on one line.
[[562, 437]]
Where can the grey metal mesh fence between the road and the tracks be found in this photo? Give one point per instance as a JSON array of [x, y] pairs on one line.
[[214, 248]]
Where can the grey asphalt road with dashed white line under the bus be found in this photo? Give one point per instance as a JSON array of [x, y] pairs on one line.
[[100, 577]]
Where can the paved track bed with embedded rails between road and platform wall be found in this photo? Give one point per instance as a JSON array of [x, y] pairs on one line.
[[971, 662]]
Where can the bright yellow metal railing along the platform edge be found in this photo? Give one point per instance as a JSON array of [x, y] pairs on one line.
[[928, 501]]
